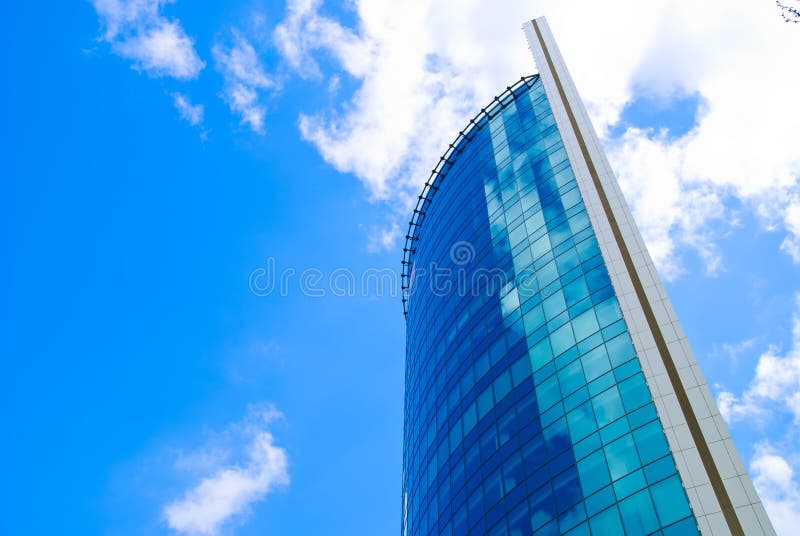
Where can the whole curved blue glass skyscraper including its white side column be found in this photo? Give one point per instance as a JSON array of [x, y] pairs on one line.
[[550, 388]]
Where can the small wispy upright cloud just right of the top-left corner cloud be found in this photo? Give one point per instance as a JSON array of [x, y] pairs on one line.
[[245, 79]]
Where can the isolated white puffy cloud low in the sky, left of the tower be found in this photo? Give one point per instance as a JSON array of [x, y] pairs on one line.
[[238, 467]]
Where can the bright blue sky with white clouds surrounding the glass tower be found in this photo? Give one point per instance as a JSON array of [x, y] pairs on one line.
[[157, 155]]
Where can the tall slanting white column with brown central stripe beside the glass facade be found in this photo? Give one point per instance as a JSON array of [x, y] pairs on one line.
[[668, 363]]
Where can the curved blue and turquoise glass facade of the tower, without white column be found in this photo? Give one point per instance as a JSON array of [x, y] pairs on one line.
[[526, 409]]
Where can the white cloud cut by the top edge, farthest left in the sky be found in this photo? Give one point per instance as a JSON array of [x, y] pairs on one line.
[[137, 30]]
